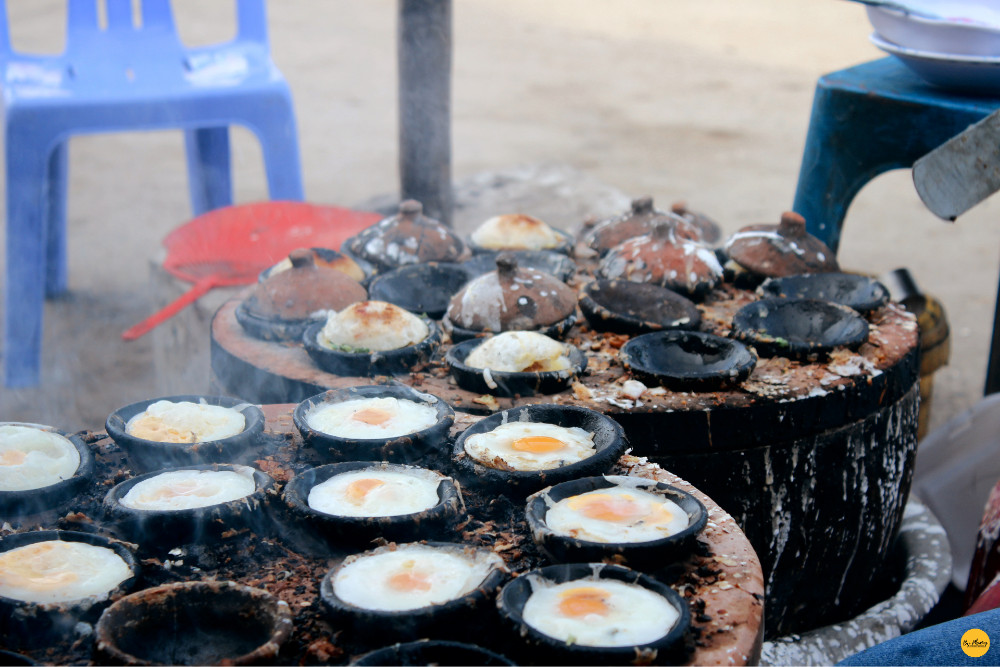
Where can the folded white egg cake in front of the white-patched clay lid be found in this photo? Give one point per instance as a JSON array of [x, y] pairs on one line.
[[520, 351]]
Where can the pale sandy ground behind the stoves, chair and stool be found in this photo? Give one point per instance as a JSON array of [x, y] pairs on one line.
[[706, 102]]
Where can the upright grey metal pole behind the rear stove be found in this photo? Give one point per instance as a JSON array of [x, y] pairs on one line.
[[424, 49]]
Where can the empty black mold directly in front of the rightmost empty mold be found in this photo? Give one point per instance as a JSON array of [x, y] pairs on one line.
[[798, 328]]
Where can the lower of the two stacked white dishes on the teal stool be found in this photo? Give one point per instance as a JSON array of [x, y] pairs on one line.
[[975, 74]]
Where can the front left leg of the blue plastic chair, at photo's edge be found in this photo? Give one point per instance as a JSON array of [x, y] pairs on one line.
[[24, 288]]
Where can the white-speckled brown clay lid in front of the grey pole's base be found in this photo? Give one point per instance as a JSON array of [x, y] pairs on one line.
[[409, 237]]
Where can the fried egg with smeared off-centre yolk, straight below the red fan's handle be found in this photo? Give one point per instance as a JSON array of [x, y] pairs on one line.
[[167, 421]]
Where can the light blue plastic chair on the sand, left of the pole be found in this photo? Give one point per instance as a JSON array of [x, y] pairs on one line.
[[131, 74]]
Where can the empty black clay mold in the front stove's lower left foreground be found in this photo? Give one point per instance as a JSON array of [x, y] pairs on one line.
[[194, 623]]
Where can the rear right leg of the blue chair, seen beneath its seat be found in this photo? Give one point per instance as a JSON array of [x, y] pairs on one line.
[[209, 174]]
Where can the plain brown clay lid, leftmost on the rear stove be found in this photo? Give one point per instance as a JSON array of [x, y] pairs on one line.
[[304, 289]]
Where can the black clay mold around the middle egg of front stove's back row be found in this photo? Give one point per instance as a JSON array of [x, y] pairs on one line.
[[408, 448]]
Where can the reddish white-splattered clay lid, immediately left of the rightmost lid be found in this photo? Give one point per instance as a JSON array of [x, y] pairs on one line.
[[661, 257]]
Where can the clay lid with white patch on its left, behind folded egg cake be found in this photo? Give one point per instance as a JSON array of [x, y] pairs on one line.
[[511, 299]]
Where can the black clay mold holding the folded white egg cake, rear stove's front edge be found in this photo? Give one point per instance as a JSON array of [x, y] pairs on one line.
[[508, 383]]
